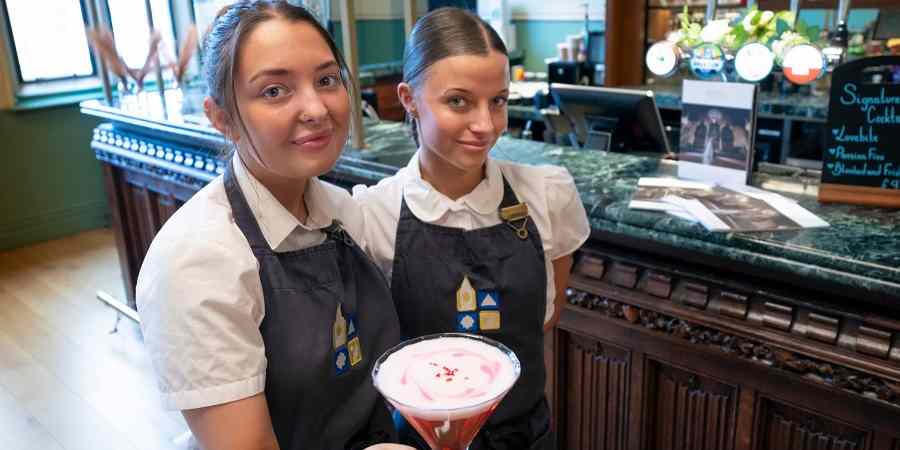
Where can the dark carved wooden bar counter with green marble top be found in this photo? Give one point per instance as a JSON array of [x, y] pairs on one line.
[[673, 337]]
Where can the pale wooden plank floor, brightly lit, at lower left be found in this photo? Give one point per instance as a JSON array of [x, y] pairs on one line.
[[66, 382]]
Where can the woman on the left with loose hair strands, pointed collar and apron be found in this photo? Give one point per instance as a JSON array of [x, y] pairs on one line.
[[260, 309]]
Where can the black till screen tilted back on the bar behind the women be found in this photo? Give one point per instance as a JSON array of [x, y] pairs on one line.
[[617, 120]]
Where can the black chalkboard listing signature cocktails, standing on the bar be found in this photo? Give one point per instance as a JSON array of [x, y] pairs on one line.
[[861, 163]]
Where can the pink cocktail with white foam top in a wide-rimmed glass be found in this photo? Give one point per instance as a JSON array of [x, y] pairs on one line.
[[447, 385]]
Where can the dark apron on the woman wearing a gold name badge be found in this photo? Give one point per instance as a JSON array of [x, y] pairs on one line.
[[508, 274]]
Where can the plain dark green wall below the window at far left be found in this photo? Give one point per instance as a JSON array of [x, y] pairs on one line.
[[52, 185]]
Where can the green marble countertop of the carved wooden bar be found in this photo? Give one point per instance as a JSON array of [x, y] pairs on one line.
[[860, 251]]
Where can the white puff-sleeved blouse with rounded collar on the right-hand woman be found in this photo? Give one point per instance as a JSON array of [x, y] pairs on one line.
[[553, 203]]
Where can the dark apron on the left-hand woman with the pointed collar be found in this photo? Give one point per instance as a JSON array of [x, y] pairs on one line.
[[320, 396]]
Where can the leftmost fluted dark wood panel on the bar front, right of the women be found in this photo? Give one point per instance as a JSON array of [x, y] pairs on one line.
[[597, 394]]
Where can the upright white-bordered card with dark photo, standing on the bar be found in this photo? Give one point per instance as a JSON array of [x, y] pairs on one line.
[[718, 130]]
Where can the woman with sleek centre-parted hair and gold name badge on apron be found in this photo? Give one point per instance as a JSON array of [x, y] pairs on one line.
[[474, 244]]
